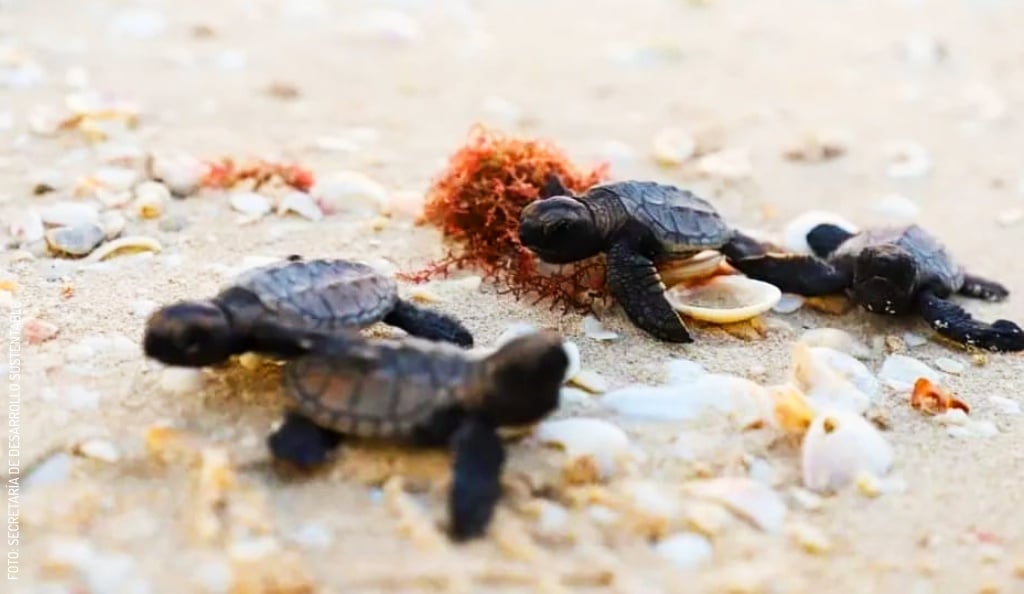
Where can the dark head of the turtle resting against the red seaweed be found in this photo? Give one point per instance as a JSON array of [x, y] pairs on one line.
[[560, 230]]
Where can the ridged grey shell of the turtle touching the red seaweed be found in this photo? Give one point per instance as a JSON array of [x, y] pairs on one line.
[[678, 219]]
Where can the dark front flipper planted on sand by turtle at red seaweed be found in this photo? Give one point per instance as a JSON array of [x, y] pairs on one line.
[[634, 282]]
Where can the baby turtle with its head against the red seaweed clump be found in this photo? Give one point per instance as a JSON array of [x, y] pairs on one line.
[[637, 225]]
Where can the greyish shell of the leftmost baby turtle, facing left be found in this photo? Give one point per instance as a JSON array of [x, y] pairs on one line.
[[322, 294]]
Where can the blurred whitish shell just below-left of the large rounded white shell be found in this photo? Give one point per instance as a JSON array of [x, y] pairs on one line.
[[754, 501]]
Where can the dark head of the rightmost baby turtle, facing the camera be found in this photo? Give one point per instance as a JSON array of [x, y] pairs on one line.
[[885, 280]]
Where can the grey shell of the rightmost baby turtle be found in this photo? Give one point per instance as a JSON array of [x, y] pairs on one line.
[[933, 259]]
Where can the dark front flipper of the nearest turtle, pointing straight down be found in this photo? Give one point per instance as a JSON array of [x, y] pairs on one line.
[[477, 471]]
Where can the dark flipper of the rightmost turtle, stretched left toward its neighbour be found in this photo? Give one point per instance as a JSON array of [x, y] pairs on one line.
[[797, 274]]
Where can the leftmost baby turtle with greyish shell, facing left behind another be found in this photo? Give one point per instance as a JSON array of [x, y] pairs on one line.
[[251, 315]]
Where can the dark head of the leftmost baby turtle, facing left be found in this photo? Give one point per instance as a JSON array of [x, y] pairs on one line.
[[190, 334]]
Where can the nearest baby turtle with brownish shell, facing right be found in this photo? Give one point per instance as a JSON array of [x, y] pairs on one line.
[[428, 395]]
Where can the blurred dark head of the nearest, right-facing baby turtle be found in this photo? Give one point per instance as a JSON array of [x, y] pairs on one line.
[[525, 377]]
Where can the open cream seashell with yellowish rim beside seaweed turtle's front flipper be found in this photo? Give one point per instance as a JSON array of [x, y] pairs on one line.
[[726, 300]]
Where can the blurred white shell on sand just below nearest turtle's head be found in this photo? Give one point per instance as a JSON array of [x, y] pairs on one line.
[[608, 445]]
